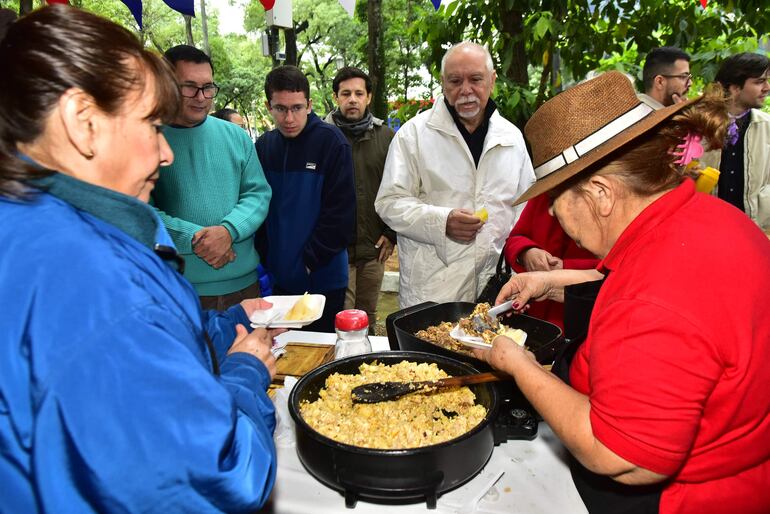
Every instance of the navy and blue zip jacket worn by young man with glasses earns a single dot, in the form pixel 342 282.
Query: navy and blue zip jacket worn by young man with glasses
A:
pixel 313 209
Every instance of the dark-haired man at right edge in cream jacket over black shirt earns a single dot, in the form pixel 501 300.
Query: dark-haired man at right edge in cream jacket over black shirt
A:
pixel 744 162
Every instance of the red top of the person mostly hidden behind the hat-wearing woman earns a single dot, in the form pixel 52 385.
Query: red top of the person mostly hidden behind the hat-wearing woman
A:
pixel 536 228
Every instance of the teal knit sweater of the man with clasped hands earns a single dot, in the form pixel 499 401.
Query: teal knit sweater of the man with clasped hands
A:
pixel 216 179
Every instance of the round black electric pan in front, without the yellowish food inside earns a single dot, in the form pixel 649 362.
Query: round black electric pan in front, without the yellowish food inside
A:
pixel 392 476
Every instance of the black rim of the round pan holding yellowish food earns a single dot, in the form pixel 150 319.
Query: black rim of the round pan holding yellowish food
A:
pixel 403 354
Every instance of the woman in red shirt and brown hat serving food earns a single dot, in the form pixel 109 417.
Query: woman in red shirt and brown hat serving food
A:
pixel 667 408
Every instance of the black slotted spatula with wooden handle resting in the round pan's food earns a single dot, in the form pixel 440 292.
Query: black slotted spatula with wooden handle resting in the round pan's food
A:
pixel 376 392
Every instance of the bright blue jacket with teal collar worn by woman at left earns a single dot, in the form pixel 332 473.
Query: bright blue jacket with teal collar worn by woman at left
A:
pixel 107 397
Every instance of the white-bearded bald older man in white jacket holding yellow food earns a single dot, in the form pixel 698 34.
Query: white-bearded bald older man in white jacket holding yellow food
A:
pixel 450 179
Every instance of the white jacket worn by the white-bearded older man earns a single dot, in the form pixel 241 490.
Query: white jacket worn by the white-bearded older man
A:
pixel 430 171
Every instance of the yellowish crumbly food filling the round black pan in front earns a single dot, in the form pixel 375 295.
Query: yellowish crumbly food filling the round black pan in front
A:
pixel 412 421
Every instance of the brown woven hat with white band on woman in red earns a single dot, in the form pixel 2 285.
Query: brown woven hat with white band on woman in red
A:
pixel 576 128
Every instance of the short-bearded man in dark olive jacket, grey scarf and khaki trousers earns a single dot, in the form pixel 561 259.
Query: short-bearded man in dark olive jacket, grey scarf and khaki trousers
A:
pixel 369 137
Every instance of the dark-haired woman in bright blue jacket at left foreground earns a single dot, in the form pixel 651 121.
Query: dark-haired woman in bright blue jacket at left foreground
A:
pixel 116 392
